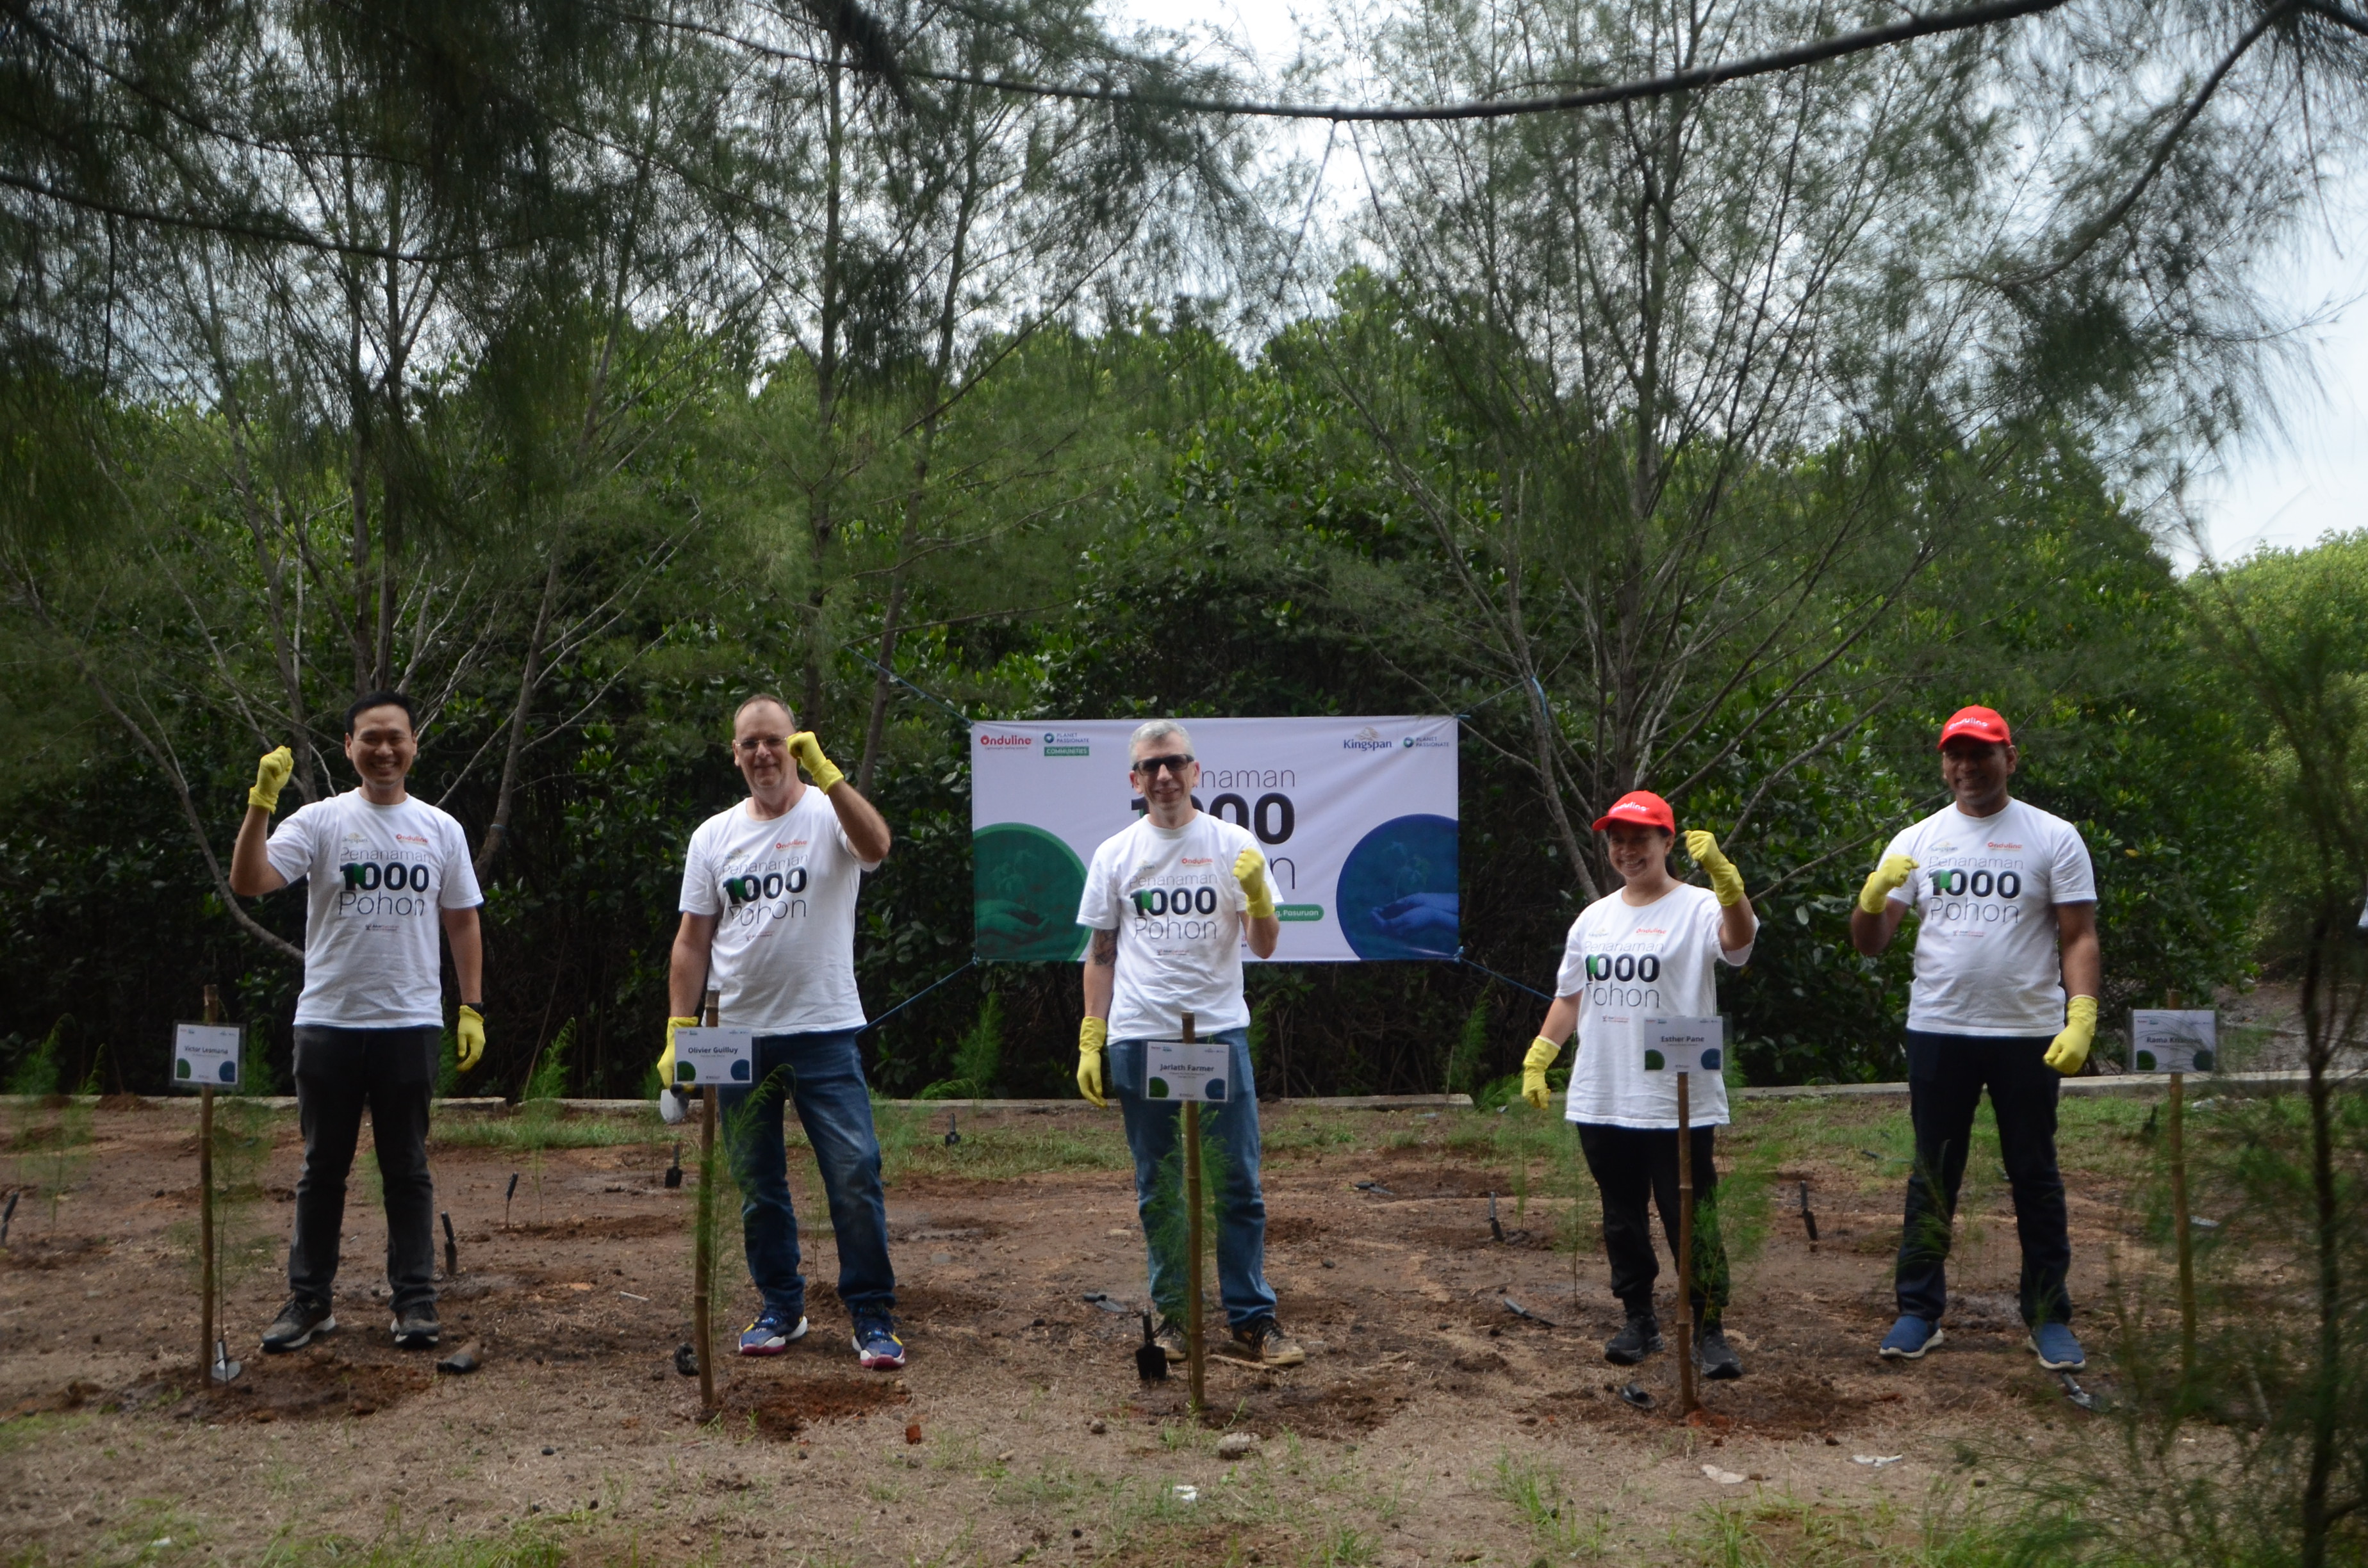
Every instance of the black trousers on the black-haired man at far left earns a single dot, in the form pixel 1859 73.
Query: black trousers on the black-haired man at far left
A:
pixel 340 1074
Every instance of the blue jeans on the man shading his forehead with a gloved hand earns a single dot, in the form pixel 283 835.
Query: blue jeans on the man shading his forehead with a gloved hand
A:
pixel 825 1077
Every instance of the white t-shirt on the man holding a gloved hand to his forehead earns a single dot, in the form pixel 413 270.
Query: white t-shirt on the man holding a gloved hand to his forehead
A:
pixel 783 894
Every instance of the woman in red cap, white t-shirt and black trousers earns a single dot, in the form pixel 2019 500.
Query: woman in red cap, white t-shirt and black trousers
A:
pixel 1647 951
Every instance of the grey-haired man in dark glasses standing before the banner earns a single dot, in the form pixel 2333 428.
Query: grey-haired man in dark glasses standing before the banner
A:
pixel 1171 901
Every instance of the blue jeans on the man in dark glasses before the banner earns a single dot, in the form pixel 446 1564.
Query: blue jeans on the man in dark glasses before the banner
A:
pixel 1228 1162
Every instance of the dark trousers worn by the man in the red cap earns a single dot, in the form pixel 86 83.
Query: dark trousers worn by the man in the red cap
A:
pixel 1948 1077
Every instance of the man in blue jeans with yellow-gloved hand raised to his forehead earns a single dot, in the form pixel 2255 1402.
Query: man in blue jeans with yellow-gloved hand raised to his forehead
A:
pixel 768 918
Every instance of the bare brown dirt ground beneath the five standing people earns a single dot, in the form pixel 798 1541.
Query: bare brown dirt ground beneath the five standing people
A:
pixel 1429 1427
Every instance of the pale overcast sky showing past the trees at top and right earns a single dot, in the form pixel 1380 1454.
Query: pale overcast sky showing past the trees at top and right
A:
pixel 2301 477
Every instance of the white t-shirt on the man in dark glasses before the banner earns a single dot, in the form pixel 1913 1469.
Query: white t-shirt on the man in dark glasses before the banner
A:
pixel 1176 906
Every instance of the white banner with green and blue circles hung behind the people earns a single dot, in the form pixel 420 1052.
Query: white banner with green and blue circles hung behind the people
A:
pixel 1356 816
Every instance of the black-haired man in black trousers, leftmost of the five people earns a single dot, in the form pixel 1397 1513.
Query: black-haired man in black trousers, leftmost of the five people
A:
pixel 382 875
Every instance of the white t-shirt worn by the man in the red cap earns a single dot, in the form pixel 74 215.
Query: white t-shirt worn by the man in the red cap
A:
pixel 1986 894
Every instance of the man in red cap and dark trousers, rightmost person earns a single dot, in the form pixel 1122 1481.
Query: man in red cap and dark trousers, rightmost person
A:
pixel 2005 998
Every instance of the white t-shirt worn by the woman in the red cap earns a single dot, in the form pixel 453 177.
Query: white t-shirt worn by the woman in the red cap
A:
pixel 1628 963
